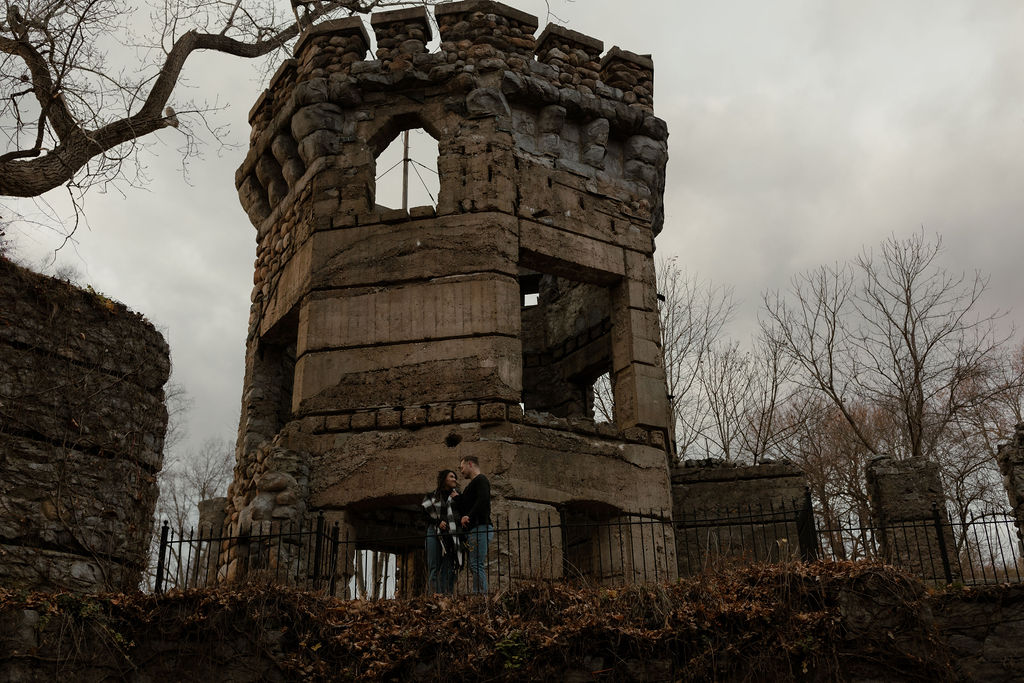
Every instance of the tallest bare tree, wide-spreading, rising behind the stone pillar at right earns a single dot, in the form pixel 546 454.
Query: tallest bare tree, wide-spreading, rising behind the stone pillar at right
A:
pixel 898 332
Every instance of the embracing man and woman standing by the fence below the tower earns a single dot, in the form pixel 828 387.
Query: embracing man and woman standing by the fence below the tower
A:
pixel 459 529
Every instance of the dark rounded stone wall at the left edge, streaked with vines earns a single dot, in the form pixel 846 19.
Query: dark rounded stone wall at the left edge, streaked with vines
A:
pixel 82 423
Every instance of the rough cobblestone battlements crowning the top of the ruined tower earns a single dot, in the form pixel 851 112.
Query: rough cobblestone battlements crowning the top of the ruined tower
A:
pixel 547 93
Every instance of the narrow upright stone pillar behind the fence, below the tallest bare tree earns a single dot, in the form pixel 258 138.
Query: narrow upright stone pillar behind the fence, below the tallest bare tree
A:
pixel 906 497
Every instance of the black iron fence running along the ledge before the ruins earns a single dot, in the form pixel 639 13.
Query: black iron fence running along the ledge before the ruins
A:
pixel 617 550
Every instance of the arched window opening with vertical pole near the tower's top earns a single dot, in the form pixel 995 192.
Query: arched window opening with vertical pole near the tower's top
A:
pixel 407 172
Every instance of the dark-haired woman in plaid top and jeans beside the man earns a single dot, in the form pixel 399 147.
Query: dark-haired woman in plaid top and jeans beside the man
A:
pixel 444 544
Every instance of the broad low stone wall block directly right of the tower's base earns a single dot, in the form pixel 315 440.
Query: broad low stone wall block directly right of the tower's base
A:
pixel 723 510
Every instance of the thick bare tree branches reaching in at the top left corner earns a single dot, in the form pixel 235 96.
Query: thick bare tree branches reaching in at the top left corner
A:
pixel 70 117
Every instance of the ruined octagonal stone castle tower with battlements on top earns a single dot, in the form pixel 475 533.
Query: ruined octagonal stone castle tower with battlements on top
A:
pixel 386 345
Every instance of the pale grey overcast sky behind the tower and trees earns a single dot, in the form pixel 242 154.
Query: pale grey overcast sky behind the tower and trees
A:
pixel 801 132
